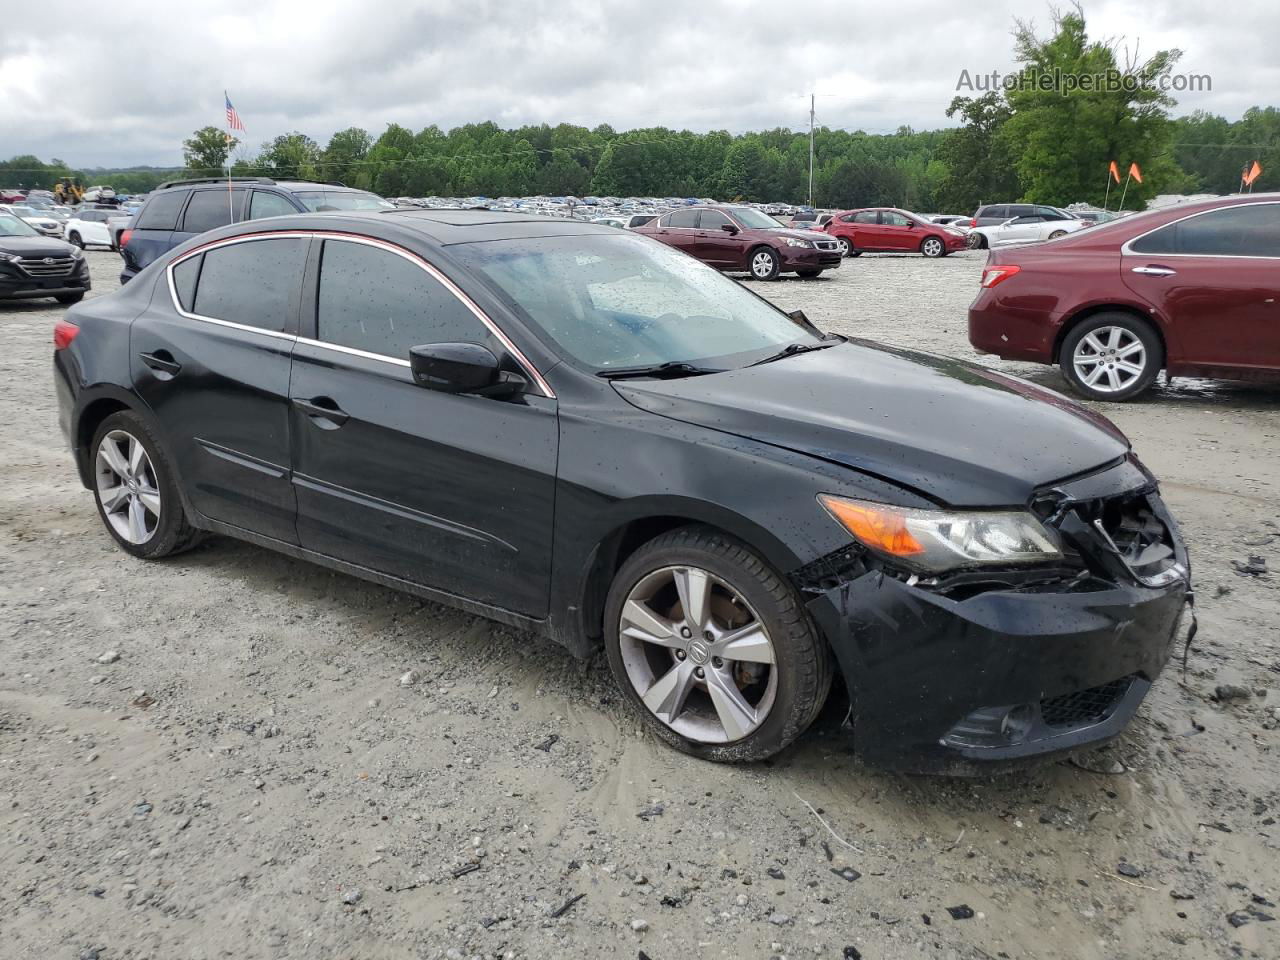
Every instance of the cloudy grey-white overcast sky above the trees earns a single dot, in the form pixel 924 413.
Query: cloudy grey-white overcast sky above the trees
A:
pixel 126 84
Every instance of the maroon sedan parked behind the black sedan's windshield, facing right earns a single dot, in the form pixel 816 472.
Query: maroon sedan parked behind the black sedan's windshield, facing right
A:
pixel 744 239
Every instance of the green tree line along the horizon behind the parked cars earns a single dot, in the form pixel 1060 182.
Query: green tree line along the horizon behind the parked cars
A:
pixel 1020 144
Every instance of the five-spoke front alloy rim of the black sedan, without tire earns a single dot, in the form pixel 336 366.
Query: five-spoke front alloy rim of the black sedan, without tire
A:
pixel 697 655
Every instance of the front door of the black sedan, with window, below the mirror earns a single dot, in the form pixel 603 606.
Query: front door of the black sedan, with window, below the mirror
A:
pixel 447 491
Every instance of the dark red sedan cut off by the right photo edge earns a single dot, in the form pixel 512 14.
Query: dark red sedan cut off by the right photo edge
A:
pixel 1194 290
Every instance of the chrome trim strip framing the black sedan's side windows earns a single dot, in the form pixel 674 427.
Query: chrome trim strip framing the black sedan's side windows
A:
pixel 351 351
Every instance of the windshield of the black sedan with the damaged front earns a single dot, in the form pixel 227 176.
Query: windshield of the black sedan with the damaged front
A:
pixel 619 301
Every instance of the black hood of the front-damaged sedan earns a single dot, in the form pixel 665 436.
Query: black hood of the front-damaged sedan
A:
pixel 958 433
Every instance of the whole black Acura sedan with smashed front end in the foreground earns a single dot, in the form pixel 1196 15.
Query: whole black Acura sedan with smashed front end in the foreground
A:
pixel 591 436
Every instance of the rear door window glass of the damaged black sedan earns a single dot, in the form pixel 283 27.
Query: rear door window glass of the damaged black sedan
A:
pixel 253 284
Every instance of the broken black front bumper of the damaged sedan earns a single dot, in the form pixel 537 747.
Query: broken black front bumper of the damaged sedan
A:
pixel 956 676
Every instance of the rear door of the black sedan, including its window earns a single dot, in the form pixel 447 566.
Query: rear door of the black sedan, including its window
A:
pixel 211 358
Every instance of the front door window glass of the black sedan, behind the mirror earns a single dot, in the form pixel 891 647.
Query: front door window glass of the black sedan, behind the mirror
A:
pixel 385 304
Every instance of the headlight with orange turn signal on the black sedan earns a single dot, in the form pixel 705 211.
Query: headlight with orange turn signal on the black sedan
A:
pixel 939 541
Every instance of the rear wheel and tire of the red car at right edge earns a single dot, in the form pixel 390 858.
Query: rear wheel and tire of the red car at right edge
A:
pixel 1112 356
